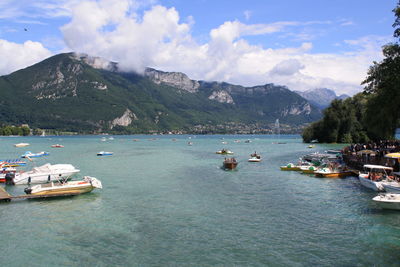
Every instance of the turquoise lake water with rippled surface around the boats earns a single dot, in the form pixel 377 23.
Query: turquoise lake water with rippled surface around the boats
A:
pixel 165 203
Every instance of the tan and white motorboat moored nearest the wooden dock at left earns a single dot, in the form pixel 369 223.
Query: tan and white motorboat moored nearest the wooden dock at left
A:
pixel 65 187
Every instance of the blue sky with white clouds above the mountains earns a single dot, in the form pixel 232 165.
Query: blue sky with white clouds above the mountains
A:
pixel 301 44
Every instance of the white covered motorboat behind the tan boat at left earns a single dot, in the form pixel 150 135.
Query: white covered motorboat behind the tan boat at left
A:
pixel 45 173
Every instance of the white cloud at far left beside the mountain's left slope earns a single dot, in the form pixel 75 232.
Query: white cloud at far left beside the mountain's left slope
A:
pixel 17 56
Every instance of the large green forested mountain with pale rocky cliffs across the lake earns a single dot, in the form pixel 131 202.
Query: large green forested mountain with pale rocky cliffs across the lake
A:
pixel 68 92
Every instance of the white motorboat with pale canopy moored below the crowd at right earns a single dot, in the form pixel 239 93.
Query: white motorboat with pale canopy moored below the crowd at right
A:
pixel 374 176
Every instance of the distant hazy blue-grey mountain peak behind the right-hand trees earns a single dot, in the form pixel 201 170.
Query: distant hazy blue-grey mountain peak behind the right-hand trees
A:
pixel 321 97
